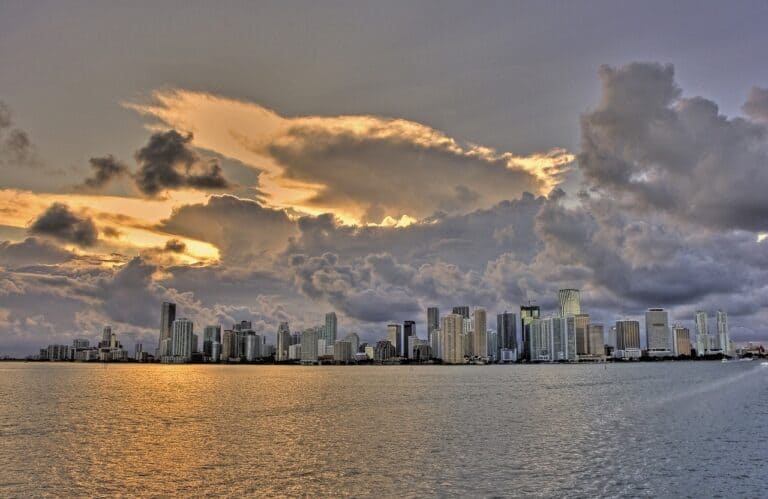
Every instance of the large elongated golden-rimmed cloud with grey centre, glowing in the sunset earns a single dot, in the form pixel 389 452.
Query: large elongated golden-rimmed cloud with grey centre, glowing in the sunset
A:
pixel 362 168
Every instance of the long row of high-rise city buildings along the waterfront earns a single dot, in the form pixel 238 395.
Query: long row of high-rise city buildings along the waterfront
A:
pixel 460 337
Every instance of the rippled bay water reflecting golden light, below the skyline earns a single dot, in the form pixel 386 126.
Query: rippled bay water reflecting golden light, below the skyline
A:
pixel 686 429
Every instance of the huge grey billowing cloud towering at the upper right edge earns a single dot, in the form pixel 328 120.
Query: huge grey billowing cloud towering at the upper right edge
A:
pixel 655 150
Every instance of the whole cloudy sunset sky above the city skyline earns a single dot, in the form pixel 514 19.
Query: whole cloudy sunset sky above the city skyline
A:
pixel 274 161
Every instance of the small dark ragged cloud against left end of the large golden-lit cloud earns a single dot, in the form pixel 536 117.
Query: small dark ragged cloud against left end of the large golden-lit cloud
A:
pixel 168 161
